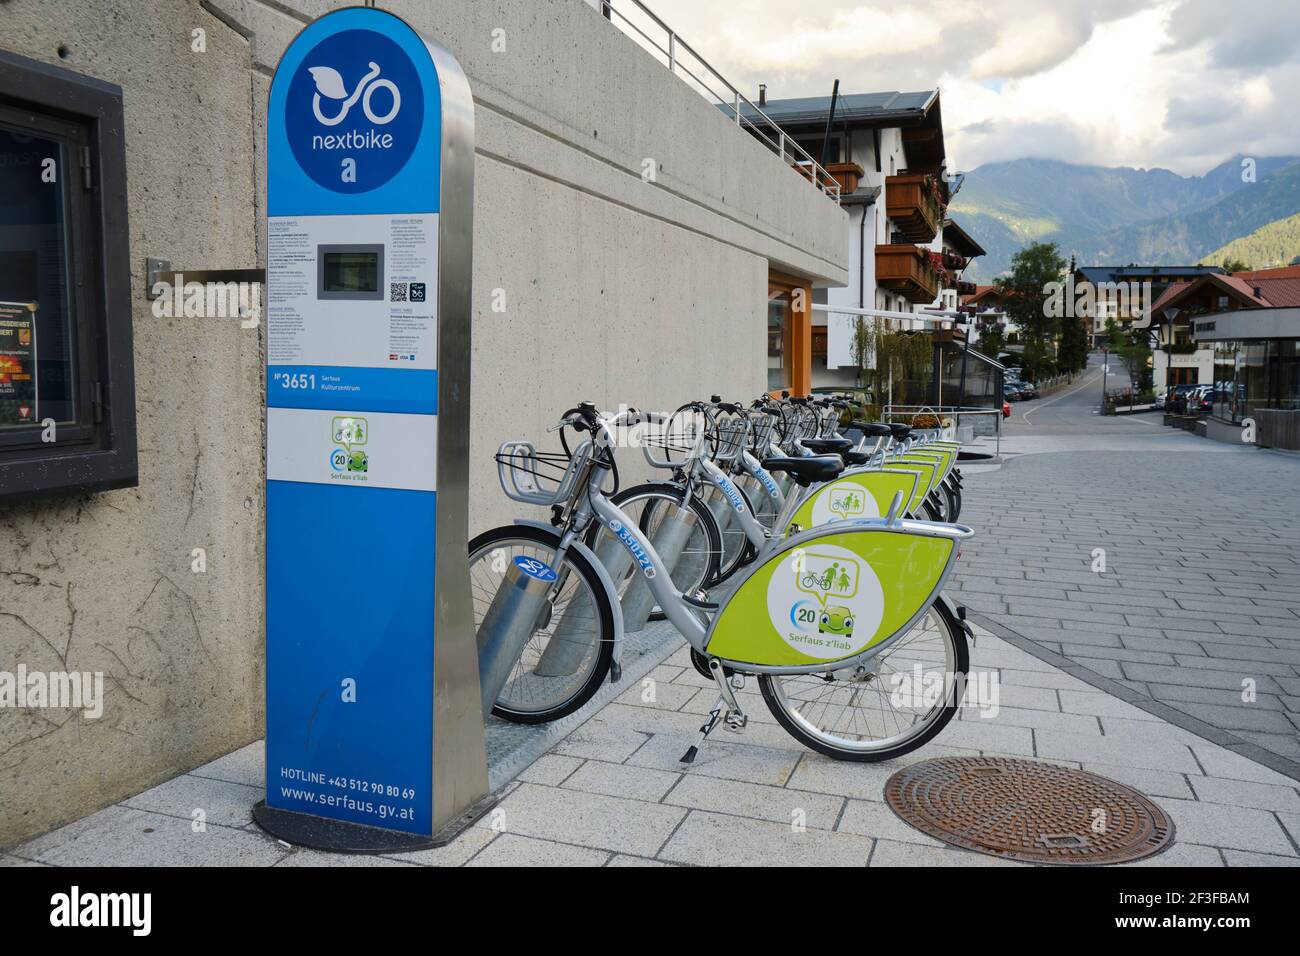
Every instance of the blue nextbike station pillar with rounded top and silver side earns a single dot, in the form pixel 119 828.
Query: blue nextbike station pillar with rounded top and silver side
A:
pixel 375 736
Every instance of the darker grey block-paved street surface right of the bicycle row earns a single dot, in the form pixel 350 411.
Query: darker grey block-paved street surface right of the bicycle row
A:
pixel 1198 607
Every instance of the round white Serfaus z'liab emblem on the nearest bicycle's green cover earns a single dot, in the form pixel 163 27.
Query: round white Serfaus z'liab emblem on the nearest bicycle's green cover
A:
pixel 825 602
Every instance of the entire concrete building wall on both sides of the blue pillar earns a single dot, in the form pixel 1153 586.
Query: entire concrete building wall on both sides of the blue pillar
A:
pixel 616 289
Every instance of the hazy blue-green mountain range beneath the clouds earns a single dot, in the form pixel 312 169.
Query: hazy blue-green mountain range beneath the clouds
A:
pixel 1119 215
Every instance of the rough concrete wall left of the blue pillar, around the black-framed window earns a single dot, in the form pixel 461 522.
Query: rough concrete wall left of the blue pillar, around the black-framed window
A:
pixel 103 583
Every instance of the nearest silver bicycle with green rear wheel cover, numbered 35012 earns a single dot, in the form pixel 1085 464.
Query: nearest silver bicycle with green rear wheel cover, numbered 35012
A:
pixel 821 668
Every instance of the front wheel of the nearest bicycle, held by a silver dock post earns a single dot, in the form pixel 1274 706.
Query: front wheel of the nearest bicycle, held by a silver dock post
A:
pixel 570 651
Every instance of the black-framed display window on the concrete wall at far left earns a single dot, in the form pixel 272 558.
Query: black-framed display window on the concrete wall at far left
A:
pixel 67 373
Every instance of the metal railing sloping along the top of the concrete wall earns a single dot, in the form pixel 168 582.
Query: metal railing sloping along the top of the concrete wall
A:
pixel 673 49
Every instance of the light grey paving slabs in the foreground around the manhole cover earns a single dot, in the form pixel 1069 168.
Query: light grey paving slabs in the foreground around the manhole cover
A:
pixel 613 794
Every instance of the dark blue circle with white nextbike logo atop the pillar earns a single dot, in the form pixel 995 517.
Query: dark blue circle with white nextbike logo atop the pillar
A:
pixel 354 111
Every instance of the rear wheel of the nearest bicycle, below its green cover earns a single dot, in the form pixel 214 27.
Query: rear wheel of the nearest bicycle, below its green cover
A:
pixel 898 703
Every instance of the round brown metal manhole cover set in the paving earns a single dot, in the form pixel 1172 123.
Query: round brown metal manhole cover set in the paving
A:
pixel 1025 811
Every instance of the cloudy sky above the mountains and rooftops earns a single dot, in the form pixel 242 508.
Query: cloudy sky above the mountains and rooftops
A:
pixel 1177 84
